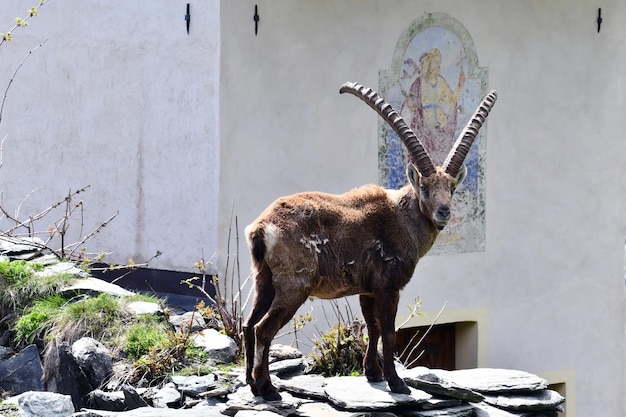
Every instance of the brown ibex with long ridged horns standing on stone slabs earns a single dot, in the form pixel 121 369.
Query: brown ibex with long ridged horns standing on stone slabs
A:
pixel 366 241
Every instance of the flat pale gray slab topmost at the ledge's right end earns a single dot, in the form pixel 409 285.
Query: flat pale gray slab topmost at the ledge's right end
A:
pixel 486 380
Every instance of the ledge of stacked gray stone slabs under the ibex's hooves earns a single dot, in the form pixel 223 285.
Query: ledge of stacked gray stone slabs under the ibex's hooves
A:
pixel 434 393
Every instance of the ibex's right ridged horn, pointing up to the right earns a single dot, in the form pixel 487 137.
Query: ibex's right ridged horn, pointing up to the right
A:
pixel 454 161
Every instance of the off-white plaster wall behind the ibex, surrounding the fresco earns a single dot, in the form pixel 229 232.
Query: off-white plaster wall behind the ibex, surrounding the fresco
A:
pixel 551 279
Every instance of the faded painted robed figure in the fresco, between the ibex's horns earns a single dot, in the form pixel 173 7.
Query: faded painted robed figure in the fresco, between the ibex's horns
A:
pixel 430 106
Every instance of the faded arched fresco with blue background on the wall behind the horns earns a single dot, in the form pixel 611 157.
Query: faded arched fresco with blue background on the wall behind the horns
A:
pixel 435 83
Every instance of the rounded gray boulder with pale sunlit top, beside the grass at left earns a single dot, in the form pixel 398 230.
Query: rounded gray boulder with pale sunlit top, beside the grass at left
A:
pixel 94 359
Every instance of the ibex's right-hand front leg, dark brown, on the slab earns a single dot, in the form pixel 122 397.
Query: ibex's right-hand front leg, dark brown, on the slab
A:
pixel 386 306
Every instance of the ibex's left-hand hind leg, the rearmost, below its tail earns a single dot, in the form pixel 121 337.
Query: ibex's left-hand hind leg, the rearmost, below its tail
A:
pixel 263 297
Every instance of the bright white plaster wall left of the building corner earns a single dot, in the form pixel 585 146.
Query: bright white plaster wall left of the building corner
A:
pixel 120 98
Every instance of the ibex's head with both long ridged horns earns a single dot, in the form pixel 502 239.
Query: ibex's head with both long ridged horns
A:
pixel 433 185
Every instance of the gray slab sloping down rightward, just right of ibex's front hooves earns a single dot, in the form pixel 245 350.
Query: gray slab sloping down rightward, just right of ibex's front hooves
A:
pixel 437 382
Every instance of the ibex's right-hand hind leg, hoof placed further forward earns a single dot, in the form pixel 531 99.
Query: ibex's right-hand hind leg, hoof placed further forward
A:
pixel 283 308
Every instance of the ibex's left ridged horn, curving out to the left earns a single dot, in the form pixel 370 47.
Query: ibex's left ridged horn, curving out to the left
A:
pixel 417 152
